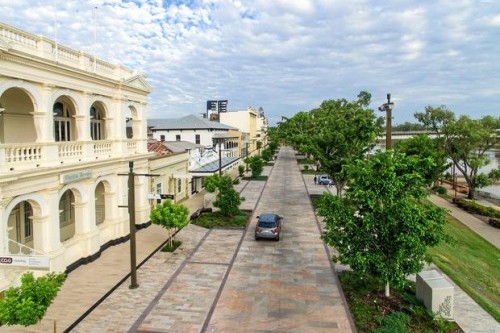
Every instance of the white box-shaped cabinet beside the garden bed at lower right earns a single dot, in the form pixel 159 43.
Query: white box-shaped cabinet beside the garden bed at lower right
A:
pixel 436 293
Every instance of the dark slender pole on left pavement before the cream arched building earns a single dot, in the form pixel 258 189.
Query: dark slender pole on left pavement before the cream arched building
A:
pixel 131 211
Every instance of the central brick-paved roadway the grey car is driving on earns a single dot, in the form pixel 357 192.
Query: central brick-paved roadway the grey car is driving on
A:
pixel 285 286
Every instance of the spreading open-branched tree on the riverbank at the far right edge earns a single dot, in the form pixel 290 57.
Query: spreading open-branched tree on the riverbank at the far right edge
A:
pixel 465 141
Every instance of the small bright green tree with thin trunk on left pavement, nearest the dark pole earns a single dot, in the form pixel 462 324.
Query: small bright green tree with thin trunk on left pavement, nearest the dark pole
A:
pixel 170 216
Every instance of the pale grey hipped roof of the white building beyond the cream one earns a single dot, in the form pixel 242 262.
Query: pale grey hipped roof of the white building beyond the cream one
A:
pixel 187 122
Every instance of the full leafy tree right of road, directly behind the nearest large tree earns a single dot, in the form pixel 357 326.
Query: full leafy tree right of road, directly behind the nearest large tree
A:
pixel 343 132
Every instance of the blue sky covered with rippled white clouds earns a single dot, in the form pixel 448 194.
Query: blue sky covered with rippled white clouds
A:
pixel 287 56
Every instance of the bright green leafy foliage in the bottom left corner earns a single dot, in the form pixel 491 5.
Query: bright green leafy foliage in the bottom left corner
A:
pixel 27 304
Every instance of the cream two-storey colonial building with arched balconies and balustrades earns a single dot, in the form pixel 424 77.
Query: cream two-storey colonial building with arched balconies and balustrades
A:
pixel 64 146
